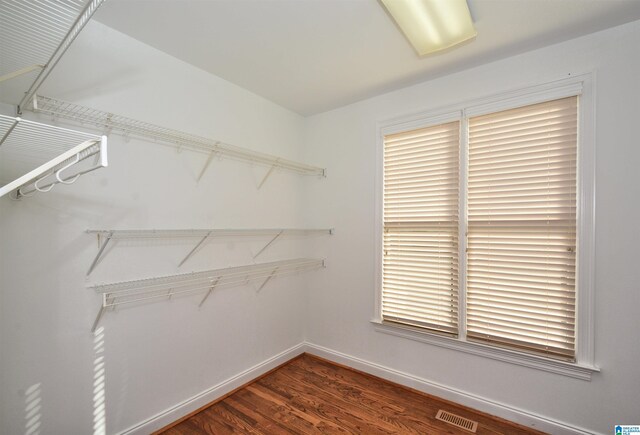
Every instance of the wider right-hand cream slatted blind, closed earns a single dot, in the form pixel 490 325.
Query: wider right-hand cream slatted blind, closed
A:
pixel 522 228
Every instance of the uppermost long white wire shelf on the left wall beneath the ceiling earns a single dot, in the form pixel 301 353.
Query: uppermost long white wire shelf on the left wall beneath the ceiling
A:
pixel 135 128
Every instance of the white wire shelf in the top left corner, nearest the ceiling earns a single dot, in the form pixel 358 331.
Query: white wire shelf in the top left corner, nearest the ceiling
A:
pixel 35 34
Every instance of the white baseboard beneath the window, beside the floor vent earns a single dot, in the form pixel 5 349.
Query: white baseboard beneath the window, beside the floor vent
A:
pixel 507 412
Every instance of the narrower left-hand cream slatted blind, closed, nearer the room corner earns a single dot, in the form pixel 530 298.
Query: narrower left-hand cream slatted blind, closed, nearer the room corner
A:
pixel 420 241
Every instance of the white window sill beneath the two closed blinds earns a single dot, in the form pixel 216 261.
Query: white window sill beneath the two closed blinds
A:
pixel 574 370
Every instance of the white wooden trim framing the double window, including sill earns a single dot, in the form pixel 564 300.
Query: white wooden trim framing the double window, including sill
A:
pixel 582 85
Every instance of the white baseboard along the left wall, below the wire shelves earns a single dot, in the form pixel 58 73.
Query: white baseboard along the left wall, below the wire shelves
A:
pixel 189 405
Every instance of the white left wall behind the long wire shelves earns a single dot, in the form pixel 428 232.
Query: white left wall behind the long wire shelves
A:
pixel 158 354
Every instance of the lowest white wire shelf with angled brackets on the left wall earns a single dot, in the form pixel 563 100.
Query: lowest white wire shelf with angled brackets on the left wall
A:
pixel 165 287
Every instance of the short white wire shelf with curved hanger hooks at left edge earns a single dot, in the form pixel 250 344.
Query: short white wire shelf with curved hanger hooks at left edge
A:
pixel 36 157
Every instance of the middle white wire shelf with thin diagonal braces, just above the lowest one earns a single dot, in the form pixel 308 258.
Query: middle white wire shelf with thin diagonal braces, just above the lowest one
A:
pixel 105 236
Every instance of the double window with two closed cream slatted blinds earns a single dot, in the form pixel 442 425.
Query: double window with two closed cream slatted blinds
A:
pixel 480 225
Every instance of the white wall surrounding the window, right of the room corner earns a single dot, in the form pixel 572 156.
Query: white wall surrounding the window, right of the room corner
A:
pixel 342 299
